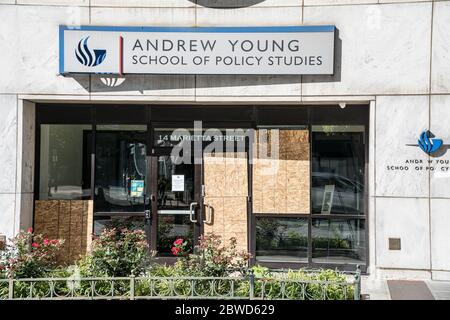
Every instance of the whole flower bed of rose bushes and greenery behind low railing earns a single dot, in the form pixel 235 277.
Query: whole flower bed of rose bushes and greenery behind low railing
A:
pixel 119 266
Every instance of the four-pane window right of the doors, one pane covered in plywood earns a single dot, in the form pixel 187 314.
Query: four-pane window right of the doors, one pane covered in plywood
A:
pixel 333 183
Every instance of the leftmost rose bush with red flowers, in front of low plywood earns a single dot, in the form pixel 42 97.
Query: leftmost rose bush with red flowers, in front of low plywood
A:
pixel 29 255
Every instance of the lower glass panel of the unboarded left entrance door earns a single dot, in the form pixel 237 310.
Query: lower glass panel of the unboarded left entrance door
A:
pixel 172 227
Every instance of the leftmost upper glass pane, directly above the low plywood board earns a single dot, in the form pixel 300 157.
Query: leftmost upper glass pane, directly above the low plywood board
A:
pixel 65 166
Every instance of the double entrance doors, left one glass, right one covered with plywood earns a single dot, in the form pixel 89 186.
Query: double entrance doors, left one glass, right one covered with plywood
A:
pixel 200 185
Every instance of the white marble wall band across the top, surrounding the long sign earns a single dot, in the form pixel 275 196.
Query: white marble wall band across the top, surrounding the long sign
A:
pixel 371 51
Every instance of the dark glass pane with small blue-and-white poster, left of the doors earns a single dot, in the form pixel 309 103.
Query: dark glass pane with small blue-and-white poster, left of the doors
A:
pixel 120 195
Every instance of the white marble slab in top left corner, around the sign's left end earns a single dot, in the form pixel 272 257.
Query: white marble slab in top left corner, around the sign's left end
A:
pixel 29 49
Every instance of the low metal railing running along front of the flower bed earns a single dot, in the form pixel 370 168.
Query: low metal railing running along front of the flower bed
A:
pixel 248 287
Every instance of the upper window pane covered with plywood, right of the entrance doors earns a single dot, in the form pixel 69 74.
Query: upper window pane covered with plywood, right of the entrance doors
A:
pixel 281 171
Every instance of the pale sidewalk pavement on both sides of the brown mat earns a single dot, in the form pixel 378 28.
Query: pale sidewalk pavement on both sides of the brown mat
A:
pixel 379 289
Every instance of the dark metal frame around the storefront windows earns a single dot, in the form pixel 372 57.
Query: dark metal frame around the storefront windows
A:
pixel 253 116
